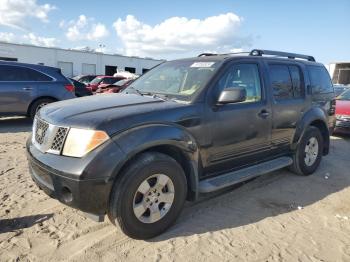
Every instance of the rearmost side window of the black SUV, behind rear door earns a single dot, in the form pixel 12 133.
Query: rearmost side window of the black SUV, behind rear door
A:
pixel 320 80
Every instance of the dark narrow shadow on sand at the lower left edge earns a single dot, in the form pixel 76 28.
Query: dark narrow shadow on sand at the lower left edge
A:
pixel 9 225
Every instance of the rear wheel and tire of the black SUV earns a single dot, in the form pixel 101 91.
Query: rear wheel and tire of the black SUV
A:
pixel 303 164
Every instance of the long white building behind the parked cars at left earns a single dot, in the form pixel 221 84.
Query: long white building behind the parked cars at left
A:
pixel 75 62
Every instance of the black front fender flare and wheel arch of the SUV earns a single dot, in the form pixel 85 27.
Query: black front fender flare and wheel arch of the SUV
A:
pixel 166 139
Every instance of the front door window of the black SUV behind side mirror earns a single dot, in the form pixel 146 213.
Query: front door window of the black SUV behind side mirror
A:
pixel 244 76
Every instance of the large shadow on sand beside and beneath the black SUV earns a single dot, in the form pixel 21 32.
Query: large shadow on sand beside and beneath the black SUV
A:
pixel 270 195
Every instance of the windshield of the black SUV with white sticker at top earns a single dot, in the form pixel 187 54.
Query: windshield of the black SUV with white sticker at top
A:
pixel 176 78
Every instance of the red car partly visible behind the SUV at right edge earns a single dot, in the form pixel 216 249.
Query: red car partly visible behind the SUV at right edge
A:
pixel 342 113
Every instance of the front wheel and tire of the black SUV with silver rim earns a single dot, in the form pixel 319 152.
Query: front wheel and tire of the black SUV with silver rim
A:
pixel 131 190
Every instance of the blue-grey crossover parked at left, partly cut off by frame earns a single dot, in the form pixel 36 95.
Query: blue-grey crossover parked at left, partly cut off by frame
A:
pixel 25 88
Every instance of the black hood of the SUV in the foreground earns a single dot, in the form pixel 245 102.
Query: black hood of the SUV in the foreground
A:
pixel 110 112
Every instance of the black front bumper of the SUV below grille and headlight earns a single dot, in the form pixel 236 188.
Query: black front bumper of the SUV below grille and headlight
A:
pixel 81 183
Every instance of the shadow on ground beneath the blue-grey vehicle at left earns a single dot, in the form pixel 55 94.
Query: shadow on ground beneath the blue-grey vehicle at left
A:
pixel 15 124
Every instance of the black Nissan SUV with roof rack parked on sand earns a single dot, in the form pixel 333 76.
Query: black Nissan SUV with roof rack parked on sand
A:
pixel 186 127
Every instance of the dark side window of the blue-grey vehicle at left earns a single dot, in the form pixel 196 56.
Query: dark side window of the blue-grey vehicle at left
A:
pixel 19 73
